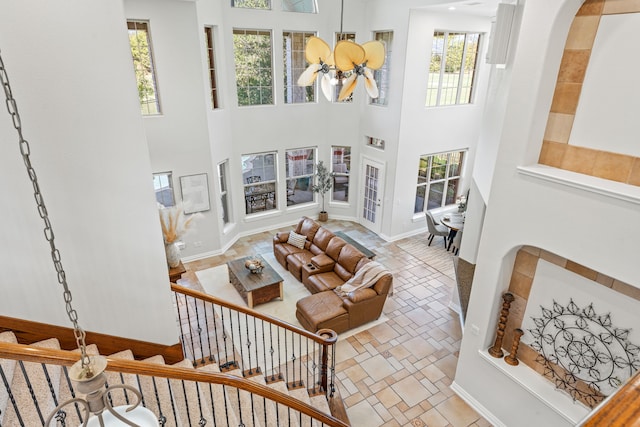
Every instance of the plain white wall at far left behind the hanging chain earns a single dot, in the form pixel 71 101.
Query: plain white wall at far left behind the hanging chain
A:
pixel 71 73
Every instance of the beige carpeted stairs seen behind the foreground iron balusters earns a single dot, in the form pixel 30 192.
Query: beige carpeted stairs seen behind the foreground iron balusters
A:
pixel 175 402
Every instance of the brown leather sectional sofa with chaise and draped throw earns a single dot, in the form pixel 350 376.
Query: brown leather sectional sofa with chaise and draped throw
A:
pixel 324 263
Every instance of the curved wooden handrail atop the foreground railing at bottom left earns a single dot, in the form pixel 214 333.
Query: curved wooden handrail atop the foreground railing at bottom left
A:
pixel 67 358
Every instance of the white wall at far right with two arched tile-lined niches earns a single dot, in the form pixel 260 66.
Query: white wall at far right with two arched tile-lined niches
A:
pixel 528 211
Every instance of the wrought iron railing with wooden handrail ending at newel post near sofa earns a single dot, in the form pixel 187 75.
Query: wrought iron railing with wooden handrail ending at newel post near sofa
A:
pixel 235 337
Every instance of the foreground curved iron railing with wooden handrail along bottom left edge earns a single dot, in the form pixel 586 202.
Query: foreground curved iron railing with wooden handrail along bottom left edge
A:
pixel 178 396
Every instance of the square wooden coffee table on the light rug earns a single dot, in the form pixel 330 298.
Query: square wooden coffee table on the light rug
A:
pixel 255 288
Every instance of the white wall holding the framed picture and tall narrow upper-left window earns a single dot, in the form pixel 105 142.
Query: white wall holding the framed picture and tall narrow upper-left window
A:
pixel 178 138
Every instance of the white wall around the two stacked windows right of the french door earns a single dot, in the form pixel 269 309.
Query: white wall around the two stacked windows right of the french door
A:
pixel 431 130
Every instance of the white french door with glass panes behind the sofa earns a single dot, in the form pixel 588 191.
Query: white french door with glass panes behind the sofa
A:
pixel 372 194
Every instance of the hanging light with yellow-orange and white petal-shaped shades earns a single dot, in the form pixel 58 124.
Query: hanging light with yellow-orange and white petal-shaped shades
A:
pixel 347 62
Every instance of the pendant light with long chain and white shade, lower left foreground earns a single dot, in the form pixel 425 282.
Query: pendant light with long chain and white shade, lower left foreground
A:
pixel 88 372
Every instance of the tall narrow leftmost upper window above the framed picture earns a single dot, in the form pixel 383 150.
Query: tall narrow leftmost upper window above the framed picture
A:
pixel 144 67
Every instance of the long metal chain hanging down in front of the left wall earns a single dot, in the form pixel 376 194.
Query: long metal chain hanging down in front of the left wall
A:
pixel 25 151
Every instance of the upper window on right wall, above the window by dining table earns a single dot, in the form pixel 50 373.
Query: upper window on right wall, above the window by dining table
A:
pixel 452 69
